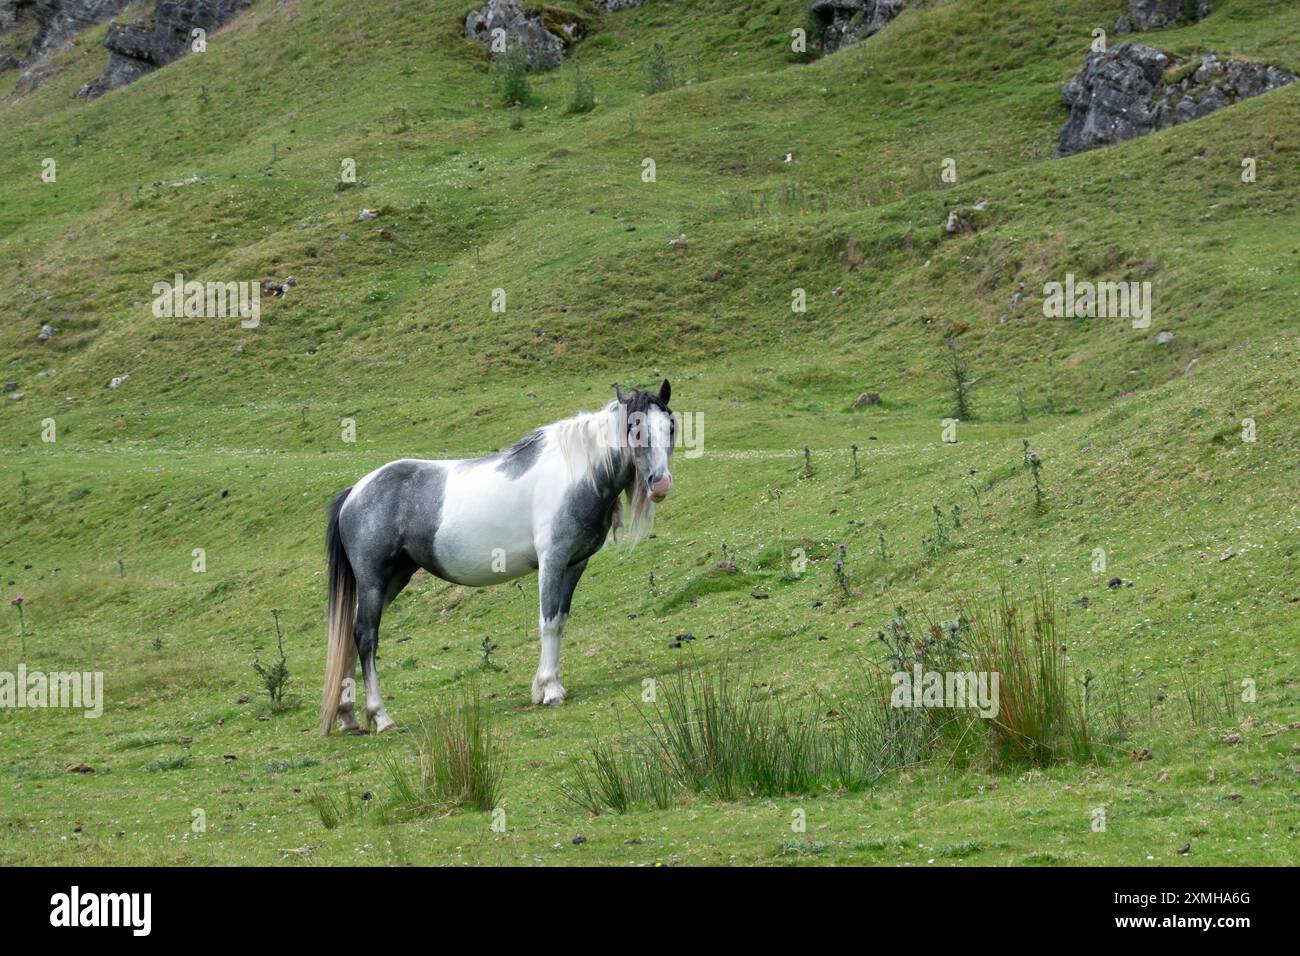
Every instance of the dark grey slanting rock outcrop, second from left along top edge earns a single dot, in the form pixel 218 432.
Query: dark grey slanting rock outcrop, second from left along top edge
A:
pixel 142 47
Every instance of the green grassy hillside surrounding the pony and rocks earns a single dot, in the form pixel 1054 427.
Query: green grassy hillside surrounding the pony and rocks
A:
pixel 229 439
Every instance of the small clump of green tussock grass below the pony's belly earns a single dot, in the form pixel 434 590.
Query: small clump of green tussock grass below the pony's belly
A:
pixel 462 763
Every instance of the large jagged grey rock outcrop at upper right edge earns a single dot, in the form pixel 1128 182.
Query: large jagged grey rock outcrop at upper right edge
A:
pixel 1121 94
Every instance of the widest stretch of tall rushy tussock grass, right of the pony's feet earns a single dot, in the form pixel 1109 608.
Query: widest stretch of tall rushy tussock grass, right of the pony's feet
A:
pixel 712 734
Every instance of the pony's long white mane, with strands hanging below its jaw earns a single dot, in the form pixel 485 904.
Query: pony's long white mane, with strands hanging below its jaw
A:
pixel 596 440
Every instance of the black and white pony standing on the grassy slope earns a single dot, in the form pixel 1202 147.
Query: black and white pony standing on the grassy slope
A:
pixel 547 504
